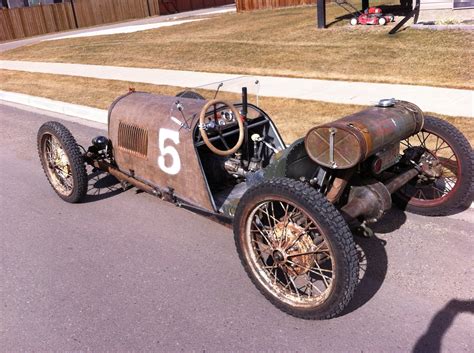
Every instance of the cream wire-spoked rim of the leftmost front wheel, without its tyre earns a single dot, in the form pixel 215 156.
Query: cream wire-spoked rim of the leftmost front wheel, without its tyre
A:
pixel 57 164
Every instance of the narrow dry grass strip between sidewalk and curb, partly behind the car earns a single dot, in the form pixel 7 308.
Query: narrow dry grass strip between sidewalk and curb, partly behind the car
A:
pixel 293 117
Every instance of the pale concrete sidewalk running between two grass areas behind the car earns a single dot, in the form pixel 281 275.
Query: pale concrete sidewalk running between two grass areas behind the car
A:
pixel 454 102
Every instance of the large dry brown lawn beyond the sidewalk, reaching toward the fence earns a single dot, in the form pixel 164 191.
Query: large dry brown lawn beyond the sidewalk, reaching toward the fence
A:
pixel 279 42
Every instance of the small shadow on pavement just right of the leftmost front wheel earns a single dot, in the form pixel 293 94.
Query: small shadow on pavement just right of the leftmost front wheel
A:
pixel 101 186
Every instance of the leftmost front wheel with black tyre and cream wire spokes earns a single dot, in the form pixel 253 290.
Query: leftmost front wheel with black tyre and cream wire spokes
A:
pixel 62 161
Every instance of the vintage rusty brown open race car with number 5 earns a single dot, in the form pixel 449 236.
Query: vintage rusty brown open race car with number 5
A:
pixel 293 208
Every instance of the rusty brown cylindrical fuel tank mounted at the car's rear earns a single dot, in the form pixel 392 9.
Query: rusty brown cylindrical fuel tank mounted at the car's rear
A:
pixel 348 141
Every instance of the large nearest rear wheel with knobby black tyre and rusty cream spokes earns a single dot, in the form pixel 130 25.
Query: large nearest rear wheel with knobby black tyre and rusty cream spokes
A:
pixel 296 248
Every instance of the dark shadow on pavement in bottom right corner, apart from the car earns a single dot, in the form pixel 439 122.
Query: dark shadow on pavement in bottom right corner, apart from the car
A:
pixel 439 325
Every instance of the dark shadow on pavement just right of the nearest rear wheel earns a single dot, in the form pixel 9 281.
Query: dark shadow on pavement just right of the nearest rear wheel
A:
pixel 373 261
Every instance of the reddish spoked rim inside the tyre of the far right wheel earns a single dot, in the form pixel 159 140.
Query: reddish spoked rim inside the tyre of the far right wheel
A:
pixel 433 192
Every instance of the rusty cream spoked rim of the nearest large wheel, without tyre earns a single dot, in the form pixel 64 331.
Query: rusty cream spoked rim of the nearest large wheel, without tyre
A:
pixel 289 253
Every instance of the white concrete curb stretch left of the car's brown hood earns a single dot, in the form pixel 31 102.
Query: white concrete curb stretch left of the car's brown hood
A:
pixel 74 110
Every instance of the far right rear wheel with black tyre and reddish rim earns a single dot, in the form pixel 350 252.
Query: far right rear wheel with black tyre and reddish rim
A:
pixel 449 154
